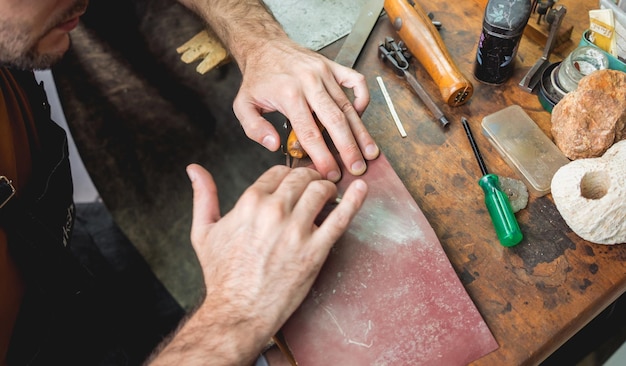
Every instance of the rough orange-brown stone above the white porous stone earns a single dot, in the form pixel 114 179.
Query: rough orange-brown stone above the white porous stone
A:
pixel 590 119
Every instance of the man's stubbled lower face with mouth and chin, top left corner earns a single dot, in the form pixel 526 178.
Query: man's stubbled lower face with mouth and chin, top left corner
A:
pixel 34 33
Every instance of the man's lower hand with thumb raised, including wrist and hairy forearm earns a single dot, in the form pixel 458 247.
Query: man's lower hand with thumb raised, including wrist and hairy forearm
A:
pixel 259 261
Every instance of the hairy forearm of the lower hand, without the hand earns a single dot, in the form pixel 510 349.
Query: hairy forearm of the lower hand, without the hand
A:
pixel 211 336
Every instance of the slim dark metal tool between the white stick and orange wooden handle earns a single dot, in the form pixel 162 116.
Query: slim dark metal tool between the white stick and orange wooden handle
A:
pixel 395 55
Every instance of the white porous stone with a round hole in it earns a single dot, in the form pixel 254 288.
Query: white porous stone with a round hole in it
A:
pixel 590 194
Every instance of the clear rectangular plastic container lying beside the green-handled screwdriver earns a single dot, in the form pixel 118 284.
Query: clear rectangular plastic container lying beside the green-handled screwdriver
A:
pixel 524 147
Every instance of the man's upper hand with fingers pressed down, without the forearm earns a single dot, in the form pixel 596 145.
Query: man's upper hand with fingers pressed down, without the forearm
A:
pixel 284 77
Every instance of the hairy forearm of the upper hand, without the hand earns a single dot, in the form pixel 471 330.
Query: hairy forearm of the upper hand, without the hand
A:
pixel 243 25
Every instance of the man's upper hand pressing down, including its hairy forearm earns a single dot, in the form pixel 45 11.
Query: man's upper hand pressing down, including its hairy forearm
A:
pixel 279 75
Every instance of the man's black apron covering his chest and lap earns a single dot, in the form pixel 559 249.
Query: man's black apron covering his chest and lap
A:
pixel 77 309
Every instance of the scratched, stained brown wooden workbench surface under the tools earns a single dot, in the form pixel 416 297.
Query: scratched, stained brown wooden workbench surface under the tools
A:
pixel 533 296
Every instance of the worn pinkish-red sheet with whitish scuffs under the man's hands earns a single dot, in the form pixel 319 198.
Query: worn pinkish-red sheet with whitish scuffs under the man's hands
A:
pixel 387 294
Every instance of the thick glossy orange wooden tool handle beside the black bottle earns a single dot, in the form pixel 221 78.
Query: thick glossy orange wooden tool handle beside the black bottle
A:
pixel 421 38
